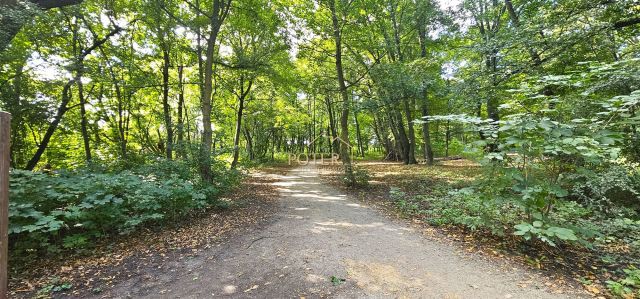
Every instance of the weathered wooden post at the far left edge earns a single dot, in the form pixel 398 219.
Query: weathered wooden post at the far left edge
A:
pixel 5 137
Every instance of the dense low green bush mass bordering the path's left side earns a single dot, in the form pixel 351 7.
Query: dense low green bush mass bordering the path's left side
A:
pixel 69 209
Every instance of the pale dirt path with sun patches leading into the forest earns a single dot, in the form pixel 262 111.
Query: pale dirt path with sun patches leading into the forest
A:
pixel 320 233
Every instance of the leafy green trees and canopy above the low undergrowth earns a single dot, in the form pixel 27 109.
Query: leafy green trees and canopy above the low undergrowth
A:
pixel 544 93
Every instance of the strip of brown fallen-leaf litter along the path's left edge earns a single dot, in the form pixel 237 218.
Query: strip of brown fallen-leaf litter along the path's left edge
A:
pixel 145 251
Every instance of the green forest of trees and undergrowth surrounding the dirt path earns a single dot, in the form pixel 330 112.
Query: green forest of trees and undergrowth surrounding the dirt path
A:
pixel 135 114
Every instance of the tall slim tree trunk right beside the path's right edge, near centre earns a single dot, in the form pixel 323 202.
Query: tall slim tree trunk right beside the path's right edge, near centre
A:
pixel 345 145
